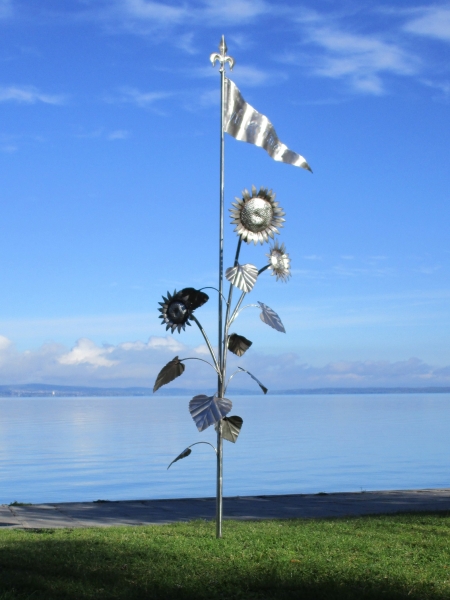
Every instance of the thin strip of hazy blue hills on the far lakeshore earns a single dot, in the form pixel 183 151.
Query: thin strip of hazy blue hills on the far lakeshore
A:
pixel 35 390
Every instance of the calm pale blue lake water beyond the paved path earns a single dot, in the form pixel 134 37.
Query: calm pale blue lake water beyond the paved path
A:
pixel 84 449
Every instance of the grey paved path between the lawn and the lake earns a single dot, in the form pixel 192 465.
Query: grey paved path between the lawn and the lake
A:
pixel 158 512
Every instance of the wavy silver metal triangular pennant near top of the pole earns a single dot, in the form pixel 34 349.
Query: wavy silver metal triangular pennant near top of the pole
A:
pixel 246 124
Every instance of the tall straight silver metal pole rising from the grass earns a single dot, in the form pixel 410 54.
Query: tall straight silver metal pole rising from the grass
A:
pixel 220 384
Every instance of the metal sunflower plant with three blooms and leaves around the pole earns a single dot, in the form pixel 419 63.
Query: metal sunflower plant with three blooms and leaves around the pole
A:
pixel 257 218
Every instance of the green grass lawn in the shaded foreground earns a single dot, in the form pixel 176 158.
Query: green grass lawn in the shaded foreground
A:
pixel 401 556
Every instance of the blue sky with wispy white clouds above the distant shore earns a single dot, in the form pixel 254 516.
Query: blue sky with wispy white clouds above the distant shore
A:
pixel 109 168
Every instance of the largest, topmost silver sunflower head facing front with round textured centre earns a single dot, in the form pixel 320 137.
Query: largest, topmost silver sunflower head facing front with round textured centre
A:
pixel 257 216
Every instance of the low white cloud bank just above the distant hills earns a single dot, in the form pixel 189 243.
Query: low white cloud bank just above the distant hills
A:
pixel 138 363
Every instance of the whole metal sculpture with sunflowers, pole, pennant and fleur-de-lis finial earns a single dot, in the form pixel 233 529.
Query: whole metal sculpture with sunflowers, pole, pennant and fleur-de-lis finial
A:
pixel 257 218
